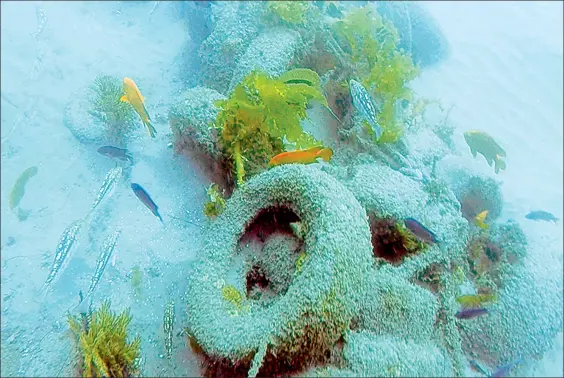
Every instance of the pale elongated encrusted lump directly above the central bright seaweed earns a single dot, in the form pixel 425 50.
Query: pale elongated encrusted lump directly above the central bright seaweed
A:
pixel 271 52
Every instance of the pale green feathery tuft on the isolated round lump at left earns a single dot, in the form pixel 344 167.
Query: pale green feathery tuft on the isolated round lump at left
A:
pixel 117 116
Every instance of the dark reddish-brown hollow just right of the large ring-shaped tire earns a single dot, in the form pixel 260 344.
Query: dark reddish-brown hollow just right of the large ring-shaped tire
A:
pixel 391 240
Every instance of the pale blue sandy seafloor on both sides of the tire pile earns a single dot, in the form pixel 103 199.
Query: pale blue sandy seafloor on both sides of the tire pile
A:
pixel 504 76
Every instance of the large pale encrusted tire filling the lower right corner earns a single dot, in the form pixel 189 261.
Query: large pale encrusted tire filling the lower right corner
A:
pixel 525 318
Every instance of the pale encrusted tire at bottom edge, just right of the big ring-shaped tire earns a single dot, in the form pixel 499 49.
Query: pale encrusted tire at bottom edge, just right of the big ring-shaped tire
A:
pixel 370 355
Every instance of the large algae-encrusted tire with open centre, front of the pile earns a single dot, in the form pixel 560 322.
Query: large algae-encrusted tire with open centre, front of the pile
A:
pixel 303 324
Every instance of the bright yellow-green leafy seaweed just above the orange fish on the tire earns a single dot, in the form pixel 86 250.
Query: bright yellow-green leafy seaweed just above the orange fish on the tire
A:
pixel 262 117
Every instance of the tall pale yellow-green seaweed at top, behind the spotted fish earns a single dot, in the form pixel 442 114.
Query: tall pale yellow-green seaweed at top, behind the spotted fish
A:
pixel 371 45
